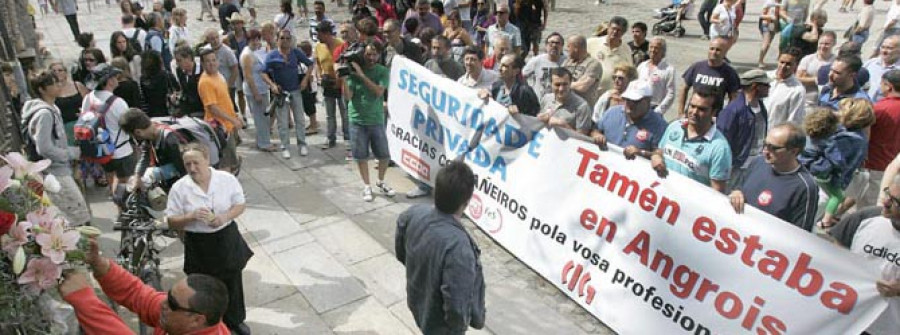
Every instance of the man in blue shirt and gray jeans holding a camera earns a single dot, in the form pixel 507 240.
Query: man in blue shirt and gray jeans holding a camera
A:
pixel 281 73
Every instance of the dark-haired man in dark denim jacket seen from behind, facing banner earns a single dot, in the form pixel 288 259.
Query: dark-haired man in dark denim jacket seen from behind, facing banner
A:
pixel 444 282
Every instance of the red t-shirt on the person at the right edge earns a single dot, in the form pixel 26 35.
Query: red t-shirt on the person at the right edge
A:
pixel 884 142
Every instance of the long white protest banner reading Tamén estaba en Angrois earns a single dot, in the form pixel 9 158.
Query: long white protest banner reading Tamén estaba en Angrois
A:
pixel 643 254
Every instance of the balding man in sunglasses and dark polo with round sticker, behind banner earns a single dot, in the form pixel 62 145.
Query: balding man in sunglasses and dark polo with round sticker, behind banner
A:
pixel 776 183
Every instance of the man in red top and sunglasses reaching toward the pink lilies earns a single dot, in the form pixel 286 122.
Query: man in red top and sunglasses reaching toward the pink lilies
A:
pixel 194 305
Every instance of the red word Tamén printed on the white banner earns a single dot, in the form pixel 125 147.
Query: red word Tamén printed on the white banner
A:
pixel 626 188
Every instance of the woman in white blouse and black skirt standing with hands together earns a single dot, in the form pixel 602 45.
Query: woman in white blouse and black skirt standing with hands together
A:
pixel 204 204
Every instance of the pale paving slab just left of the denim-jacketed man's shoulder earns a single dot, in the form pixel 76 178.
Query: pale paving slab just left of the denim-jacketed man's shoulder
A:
pixel 346 242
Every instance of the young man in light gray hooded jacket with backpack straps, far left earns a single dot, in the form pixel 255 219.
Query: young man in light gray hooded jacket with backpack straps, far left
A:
pixel 43 123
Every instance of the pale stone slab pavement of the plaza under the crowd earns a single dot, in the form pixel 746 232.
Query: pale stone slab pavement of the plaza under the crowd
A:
pixel 324 258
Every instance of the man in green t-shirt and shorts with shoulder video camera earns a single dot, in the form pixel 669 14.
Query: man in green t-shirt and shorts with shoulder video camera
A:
pixel 365 89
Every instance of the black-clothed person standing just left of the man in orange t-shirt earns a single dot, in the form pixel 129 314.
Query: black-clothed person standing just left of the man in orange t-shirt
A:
pixel 187 74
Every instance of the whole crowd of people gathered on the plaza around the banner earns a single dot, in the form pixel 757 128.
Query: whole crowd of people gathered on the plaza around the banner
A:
pixel 814 140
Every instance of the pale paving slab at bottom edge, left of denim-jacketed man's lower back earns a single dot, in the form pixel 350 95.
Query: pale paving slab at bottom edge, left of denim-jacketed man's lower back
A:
pixel 365 316
